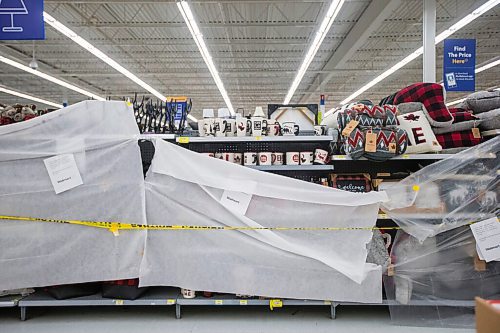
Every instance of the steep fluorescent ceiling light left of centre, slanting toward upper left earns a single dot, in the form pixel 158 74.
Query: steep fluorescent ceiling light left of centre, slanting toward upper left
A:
pixel 188 16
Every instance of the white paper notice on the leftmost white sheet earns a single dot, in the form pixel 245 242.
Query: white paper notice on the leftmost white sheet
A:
pixel 63 172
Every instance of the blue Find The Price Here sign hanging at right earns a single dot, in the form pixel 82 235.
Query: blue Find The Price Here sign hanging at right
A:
pixel 459 64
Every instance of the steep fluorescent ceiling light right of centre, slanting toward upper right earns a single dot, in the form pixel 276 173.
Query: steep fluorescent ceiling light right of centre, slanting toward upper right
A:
pixel 320 35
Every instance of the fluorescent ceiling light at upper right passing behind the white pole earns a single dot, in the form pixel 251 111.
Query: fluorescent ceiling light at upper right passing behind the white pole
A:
pixel 439 38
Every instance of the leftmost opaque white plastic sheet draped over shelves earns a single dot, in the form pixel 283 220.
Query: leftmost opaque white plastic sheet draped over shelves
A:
pixel 101 135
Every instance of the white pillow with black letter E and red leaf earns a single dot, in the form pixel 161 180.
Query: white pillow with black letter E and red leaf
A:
pixel 420 134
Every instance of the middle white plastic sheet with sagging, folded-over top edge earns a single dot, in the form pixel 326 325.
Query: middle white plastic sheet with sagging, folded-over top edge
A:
pixel 185 188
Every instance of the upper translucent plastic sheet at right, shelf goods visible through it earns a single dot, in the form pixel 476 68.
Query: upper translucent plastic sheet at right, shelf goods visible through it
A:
pixel 448 194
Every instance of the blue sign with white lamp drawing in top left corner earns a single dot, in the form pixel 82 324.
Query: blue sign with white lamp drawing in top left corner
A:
pixel 21 20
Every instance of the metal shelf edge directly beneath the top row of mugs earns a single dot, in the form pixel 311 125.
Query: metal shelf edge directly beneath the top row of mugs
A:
pixel 283 138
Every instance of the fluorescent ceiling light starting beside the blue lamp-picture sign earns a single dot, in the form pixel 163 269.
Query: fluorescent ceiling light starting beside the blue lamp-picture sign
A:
pixel 99 54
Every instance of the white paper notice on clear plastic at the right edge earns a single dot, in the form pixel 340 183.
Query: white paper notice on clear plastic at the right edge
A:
pixel 487 235
